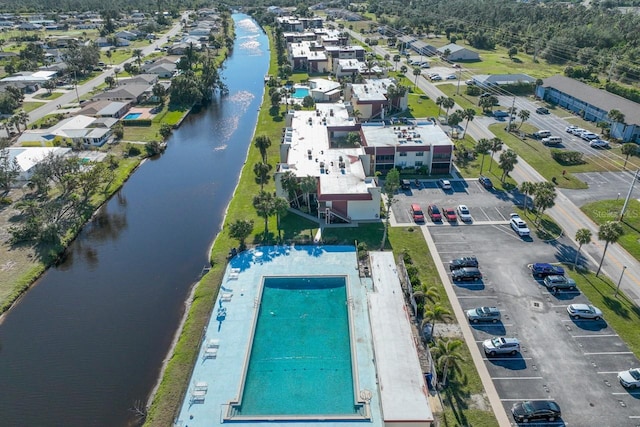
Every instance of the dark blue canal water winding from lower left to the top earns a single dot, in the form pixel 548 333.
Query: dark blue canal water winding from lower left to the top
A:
pixel 88 340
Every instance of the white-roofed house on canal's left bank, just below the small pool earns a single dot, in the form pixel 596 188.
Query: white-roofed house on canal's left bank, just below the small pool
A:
pixel 89 131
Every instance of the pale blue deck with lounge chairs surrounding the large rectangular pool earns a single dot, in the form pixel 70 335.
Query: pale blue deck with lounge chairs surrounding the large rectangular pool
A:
pixel 218 372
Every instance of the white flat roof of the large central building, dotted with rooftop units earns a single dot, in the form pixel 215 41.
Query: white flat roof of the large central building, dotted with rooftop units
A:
pixel 309 132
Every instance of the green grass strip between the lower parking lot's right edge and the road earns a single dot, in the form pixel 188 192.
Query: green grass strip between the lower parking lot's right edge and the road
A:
pixel 619 312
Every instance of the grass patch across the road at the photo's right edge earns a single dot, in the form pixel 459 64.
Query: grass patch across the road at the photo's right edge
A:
pixel 609 210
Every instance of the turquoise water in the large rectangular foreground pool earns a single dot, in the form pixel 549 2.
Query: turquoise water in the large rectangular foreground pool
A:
pixel 300 361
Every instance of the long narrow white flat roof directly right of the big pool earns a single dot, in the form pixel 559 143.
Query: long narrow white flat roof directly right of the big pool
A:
pixel 403 391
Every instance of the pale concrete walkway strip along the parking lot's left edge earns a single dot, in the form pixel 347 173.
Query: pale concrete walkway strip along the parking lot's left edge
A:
pixel 478 361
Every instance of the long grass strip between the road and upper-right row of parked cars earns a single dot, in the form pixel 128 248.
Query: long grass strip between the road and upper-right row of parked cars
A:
pixel 539 157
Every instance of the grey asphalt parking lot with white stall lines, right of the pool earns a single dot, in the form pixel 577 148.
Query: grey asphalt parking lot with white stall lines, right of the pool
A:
pixel 574 362
